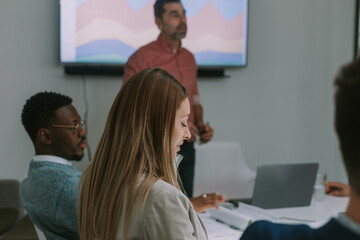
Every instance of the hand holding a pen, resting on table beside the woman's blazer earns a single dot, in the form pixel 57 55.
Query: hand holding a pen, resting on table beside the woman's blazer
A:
pixel 206 201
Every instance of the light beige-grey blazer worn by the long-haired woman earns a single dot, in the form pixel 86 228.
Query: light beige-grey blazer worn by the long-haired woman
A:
pixel 167 215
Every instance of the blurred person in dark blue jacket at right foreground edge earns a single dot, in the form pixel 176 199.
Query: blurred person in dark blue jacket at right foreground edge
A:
pixel 347 125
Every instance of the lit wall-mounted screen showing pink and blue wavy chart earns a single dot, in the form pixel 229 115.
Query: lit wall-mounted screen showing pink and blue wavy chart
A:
pixel 109 31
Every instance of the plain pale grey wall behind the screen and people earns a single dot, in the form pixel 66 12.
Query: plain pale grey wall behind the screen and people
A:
pixel 279 108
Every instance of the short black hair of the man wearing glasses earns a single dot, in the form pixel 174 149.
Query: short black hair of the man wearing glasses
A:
pixel 39 111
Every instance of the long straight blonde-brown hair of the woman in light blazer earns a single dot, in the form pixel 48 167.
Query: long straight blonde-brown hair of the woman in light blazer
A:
pixel 136 143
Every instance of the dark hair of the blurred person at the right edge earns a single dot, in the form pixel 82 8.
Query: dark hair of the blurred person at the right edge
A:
pixel 347 120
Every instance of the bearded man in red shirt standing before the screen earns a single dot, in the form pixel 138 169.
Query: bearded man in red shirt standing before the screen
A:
pixel 166 53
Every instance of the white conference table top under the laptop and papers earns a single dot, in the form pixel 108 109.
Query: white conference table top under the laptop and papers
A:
pixel 315 215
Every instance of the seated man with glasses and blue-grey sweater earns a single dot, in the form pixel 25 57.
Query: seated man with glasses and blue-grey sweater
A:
pixel 50 190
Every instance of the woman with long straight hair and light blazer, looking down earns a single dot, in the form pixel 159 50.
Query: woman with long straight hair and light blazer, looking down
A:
pixel 130 189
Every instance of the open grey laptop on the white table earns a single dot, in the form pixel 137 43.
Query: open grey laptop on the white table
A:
pixel 283 185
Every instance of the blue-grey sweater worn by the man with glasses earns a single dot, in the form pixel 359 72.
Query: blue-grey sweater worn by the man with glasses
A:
pixel 49 196
